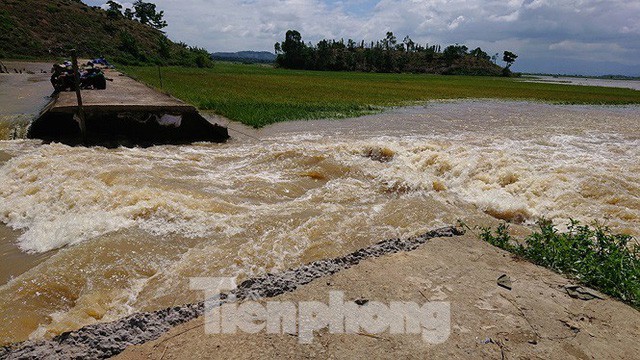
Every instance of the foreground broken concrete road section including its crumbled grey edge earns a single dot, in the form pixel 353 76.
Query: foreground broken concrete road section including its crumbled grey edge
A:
pixel 536 318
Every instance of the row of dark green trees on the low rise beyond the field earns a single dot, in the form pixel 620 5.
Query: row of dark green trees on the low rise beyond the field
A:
pixel 387 55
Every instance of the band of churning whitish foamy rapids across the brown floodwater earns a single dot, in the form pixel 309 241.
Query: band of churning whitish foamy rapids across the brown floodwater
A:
pixel 61 196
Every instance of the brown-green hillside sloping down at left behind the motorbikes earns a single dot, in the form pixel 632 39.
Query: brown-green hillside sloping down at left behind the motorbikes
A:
pixel 48 29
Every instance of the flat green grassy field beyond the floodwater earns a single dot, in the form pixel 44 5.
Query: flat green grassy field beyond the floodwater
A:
pixel 260 95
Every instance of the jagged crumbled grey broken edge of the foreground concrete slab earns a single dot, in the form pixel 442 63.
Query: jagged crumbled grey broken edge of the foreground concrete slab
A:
pixel 104 340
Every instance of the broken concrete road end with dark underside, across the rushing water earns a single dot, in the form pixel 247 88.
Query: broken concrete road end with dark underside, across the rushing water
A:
pixel 127 113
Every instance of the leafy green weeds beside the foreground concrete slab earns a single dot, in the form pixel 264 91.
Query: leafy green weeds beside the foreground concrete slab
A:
pixel 593 255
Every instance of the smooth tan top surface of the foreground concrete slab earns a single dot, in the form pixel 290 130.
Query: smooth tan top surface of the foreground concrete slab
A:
pixel 536 319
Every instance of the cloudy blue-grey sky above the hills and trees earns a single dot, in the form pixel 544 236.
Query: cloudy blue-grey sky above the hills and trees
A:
pixel 553 36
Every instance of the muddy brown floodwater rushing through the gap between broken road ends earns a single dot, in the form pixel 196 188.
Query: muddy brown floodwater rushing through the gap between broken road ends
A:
pixel 101 233
